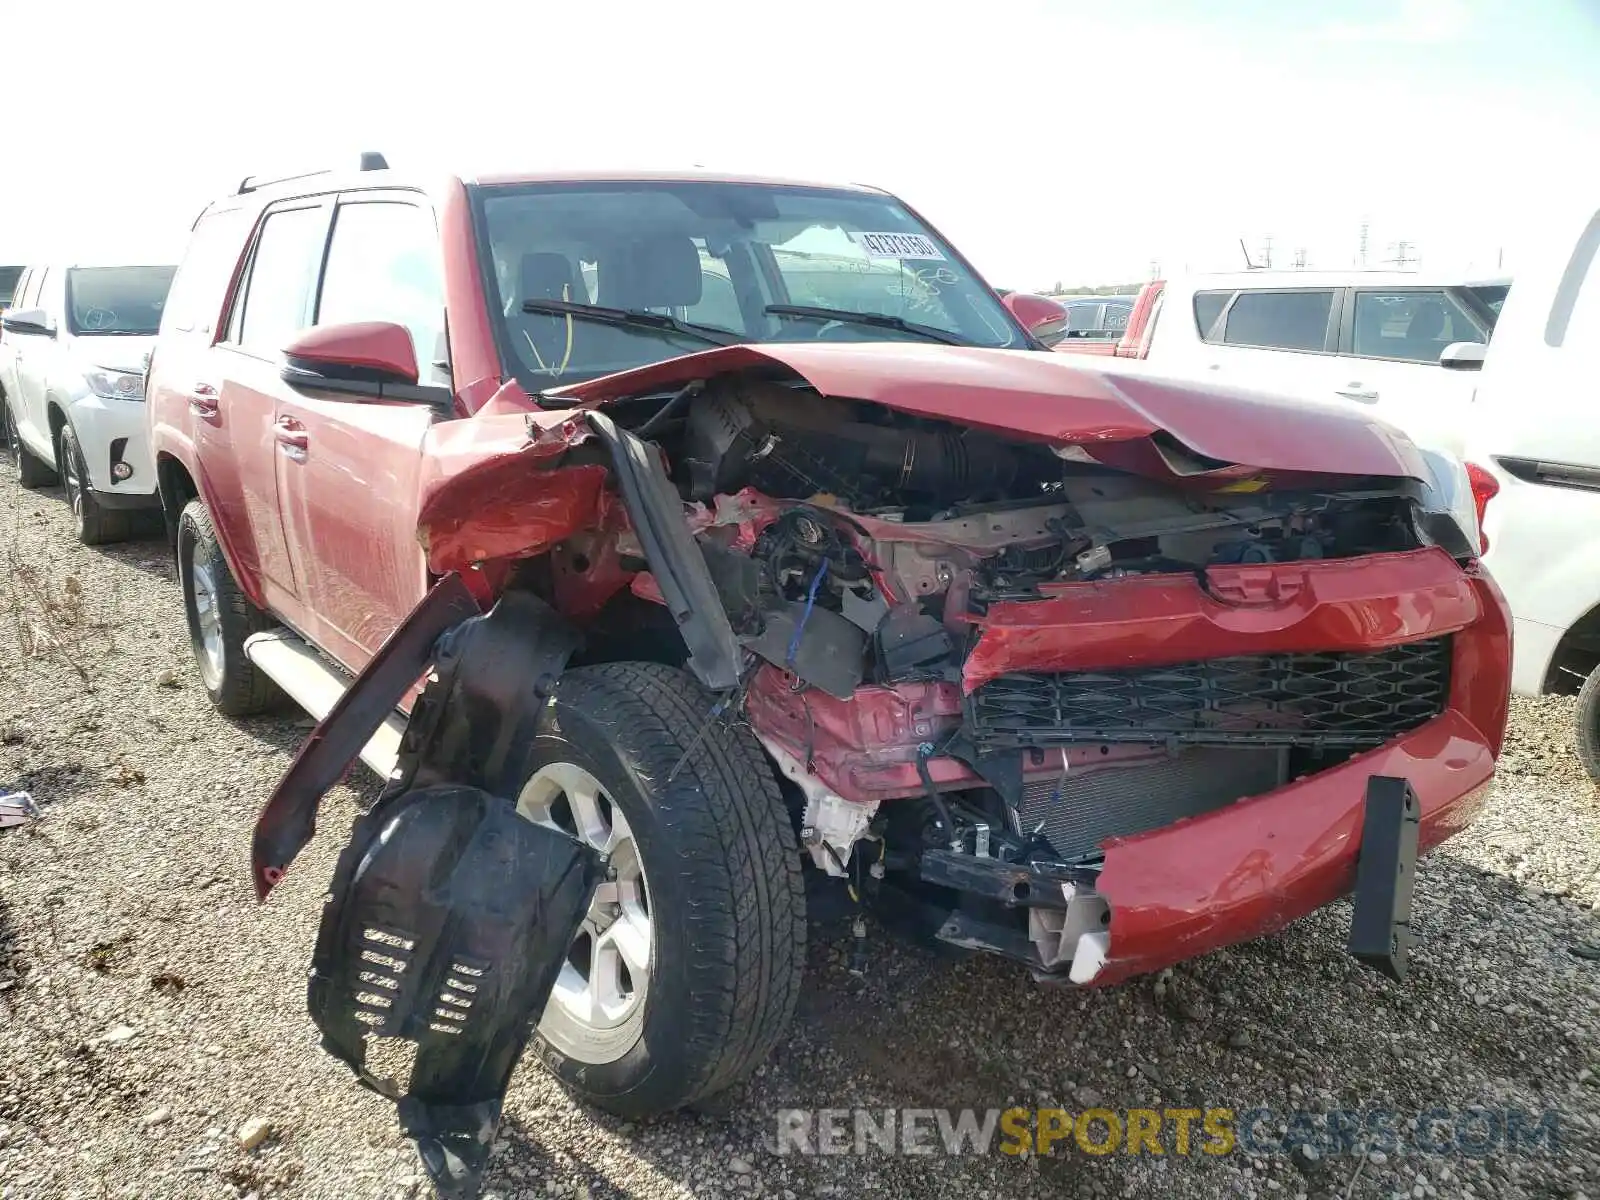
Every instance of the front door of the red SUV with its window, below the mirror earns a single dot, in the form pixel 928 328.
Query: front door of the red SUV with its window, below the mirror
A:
pixel 348 470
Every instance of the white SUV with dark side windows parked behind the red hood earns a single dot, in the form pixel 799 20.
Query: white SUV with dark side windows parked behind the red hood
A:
pixel 1380 342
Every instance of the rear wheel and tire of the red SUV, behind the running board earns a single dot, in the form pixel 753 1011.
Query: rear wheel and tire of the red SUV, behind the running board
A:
pixel 238 687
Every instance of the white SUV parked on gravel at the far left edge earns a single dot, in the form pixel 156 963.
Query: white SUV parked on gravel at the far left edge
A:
pixel 73 358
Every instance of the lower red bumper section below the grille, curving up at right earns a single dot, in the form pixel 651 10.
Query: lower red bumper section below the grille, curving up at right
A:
pixel 1257 866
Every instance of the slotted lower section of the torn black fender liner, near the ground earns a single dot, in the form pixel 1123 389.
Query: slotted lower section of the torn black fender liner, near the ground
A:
pixel 447 924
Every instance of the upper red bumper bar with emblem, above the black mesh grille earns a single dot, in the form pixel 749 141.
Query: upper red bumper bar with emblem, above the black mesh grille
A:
pixel 1338 604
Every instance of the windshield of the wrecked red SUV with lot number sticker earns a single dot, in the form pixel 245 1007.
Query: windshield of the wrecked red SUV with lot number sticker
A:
pixel 718 257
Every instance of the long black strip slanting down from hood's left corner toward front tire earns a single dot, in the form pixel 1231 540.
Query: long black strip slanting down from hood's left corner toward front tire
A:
pixel 676 561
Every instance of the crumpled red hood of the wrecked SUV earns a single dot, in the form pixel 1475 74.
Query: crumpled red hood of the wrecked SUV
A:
pixel 1055 399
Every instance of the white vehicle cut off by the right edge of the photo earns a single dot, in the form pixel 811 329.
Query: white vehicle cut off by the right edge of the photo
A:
pixel 1537 426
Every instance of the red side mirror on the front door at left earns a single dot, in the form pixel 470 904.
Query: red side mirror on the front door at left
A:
pixel 370 361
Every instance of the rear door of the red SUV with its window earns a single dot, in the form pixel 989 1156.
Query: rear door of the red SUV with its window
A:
pixel 234 396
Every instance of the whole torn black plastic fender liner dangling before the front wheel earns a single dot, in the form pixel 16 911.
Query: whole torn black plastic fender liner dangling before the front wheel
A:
pixel 450 914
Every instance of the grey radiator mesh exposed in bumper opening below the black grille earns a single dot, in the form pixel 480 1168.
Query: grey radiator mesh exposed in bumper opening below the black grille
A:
pixel 1114 801
